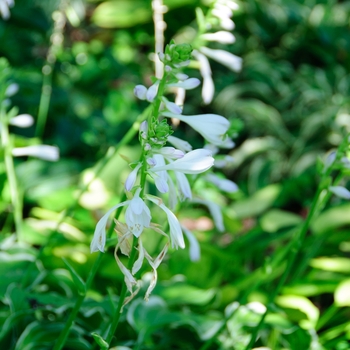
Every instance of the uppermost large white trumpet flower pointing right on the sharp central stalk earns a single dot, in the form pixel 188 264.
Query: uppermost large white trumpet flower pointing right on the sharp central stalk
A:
pixel 212 127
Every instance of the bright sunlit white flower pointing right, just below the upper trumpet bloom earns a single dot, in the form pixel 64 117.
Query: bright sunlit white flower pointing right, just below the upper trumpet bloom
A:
pixel 193 162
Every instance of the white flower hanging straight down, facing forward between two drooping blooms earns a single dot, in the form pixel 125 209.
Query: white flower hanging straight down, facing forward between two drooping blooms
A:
pixel 137 215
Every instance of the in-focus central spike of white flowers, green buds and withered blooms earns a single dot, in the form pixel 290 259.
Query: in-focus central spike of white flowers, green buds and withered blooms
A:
pixel 166 161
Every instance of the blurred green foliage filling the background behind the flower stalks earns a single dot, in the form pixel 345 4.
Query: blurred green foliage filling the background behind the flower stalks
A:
pixel 290 104
